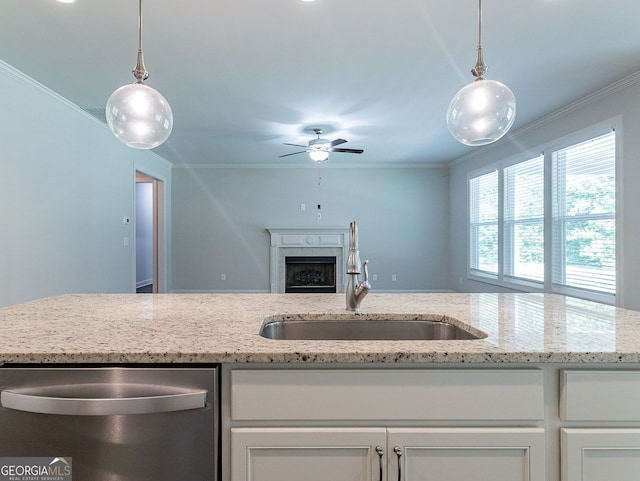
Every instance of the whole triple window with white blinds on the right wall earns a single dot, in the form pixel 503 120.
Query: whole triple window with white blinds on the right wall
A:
pixel 549 222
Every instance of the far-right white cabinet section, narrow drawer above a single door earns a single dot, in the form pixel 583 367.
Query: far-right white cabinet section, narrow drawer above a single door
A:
pixel 603 452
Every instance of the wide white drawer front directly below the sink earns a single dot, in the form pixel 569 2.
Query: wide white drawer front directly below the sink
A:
pixel 375 394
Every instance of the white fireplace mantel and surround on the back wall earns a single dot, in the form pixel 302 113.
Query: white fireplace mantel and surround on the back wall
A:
pixel 307 242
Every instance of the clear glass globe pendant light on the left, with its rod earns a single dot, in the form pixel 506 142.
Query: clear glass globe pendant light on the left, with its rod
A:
pixel 138 115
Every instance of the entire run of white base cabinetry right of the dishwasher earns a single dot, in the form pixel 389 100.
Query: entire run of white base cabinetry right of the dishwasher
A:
pixel 545 422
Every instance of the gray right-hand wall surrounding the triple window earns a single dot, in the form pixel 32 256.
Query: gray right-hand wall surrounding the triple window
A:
pixel 621 99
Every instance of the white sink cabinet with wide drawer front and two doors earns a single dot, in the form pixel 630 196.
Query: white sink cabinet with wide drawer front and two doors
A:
pixel 351 425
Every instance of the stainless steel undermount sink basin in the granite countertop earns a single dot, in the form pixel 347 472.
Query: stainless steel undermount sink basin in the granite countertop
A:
pixel 366 330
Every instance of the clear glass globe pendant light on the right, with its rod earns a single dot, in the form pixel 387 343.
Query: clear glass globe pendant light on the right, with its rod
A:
pixel 483 111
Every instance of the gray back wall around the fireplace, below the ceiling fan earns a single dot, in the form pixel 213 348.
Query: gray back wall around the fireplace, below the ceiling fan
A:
pixel 220 217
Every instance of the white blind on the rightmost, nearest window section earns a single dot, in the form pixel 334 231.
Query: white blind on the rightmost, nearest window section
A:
pixel 583 215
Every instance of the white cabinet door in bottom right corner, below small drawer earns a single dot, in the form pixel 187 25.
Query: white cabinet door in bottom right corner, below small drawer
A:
pixel 600 454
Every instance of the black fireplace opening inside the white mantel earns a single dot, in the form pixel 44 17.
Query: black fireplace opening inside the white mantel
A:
pixel 311 274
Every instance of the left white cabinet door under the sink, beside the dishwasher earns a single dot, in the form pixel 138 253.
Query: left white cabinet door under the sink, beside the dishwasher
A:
pixel 307 454
